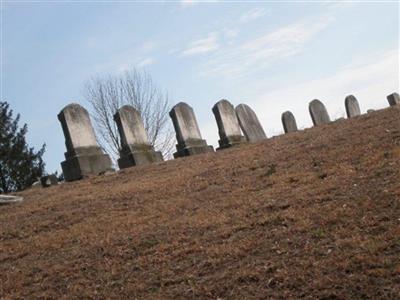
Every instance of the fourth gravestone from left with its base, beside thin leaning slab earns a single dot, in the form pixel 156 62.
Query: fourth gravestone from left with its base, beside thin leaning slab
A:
pixel 228 125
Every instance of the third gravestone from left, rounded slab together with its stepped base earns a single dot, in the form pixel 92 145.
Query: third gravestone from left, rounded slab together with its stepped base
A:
pixel 187 132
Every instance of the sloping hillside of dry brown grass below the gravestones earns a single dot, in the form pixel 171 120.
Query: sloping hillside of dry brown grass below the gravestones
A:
pixel 314 214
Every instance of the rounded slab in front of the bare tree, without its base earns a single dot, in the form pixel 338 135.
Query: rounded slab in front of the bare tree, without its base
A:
pixel 131 126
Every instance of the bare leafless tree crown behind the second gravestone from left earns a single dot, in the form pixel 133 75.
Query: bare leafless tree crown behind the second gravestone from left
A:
pixel 106 94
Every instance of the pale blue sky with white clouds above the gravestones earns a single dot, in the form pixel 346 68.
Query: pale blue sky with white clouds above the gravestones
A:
pixel 272 55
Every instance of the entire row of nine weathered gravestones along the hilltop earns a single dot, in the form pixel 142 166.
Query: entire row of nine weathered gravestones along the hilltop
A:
pixel 84 156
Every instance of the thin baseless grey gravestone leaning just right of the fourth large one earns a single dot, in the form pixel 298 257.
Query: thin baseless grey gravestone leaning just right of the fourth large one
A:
pixel 249 123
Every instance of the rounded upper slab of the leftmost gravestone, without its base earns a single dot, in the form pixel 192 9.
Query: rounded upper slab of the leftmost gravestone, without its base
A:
pixel 77 128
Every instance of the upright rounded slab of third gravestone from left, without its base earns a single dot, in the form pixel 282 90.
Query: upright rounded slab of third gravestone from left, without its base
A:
pixel 185 123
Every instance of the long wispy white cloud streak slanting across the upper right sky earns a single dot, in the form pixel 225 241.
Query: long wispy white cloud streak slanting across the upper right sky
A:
pixel 260 52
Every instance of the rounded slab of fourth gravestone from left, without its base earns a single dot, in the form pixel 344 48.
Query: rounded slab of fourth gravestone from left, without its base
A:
pixel 227 121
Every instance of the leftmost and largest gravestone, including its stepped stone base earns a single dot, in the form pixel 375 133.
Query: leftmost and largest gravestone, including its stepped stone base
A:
pixel 84 156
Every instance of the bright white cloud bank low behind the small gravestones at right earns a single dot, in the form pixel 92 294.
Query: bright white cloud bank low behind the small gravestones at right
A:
pixel 370 81
